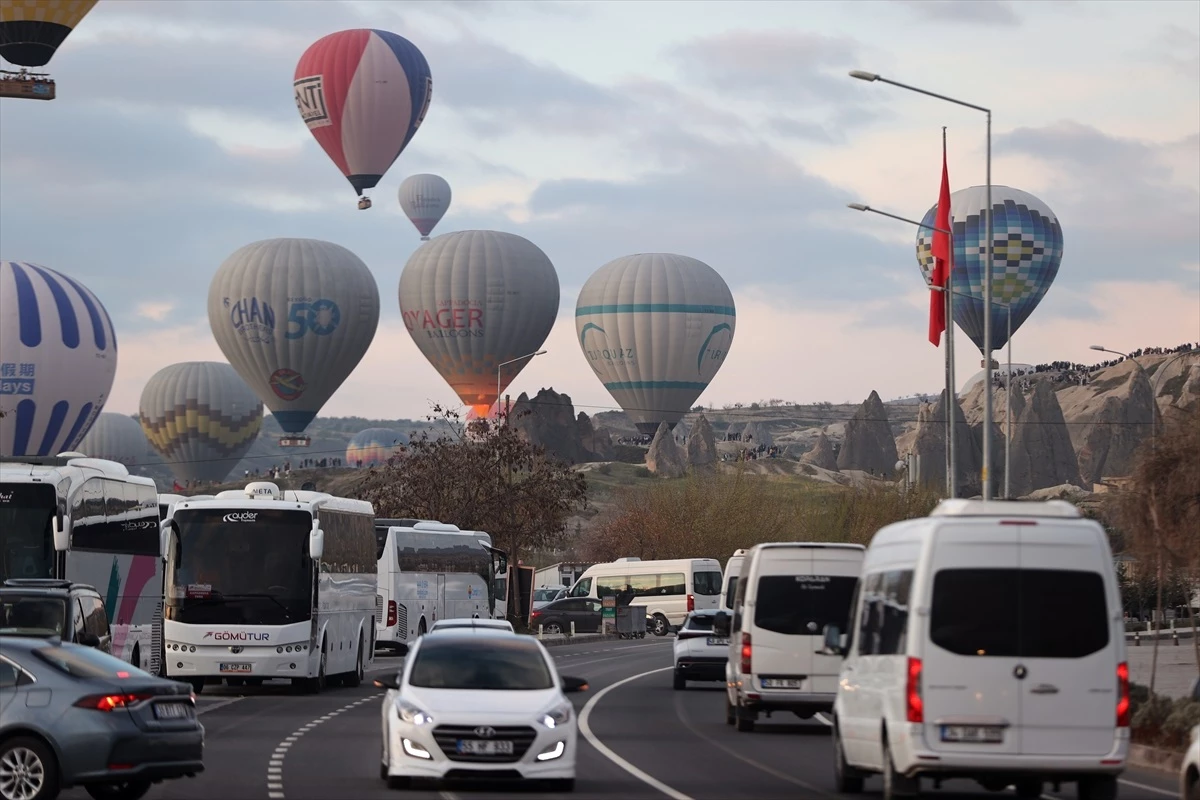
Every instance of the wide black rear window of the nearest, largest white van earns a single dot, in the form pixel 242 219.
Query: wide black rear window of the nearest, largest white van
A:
pixel 1028 613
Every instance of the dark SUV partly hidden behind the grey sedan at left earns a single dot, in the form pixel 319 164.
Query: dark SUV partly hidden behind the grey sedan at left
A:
pixel 47 607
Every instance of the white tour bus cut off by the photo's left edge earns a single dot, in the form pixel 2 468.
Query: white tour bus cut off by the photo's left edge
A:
pixel 89 521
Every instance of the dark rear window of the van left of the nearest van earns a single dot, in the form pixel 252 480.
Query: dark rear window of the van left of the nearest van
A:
pixel 802 605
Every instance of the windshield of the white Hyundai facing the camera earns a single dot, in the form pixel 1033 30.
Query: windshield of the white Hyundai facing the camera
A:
pixel 481 664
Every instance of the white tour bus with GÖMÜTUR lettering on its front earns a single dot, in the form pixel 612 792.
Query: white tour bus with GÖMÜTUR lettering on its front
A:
pixel 265 585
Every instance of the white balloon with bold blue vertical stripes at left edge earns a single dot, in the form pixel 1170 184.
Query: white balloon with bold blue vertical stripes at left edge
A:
pixel 58 357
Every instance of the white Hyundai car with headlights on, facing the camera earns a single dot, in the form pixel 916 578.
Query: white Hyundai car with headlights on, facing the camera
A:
pixel 479 705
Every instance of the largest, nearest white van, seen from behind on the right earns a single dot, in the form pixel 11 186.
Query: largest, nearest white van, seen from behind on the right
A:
pixel 988 643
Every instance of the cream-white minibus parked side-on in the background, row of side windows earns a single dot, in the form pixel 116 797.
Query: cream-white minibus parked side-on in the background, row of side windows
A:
pixel 669 590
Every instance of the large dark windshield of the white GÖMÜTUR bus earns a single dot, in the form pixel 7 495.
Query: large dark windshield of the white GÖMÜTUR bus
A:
pixel 239 568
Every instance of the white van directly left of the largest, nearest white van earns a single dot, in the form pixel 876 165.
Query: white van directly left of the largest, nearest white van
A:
pixel 787 596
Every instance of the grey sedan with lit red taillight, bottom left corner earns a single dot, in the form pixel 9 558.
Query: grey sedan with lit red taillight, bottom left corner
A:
pixel 71 715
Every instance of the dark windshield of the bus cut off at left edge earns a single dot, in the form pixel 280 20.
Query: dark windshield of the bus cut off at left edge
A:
pixel 27 548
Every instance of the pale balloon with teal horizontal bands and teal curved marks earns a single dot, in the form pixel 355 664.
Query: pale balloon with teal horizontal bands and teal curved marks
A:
pixel 656 328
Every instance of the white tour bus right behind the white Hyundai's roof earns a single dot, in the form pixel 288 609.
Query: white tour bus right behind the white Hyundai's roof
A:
pixel 430 572
